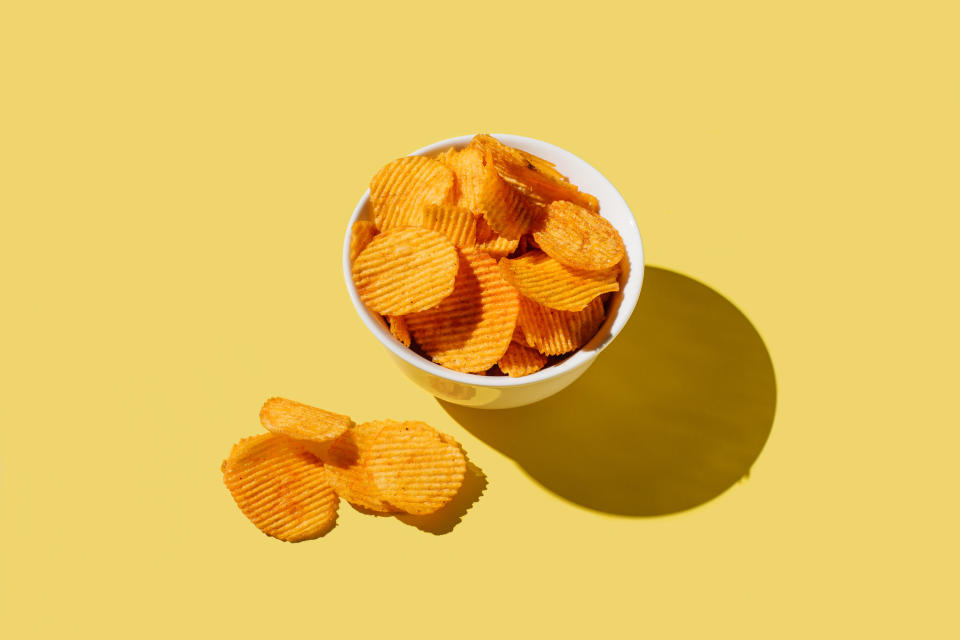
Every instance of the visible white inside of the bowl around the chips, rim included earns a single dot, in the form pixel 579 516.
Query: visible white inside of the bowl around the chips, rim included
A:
pixel 612 207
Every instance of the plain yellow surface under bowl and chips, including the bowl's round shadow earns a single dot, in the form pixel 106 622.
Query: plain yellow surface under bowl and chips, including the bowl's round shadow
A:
pixel 174 186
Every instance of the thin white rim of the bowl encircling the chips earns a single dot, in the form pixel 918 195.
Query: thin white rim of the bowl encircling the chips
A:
pixel 607 332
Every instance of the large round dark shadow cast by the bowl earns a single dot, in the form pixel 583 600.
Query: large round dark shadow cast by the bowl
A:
pixel 668 418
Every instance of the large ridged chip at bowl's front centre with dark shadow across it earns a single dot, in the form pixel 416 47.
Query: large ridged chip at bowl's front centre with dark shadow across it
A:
pixel 472 327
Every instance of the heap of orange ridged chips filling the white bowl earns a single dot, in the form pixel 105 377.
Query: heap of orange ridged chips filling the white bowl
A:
pixel 485 259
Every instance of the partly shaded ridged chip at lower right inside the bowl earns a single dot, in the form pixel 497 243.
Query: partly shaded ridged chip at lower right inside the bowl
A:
pixel 553 332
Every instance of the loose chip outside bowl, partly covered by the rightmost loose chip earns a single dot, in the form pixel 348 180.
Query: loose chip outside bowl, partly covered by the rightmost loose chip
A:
pixel 347 470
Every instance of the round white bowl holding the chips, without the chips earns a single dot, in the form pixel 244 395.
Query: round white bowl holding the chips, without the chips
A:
pixel 502 392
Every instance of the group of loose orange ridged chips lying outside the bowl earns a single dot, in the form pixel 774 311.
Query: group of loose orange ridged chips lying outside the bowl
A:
pixel 288 481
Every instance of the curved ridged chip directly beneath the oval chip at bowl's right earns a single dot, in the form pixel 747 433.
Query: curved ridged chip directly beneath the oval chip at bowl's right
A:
pixel 555 285
